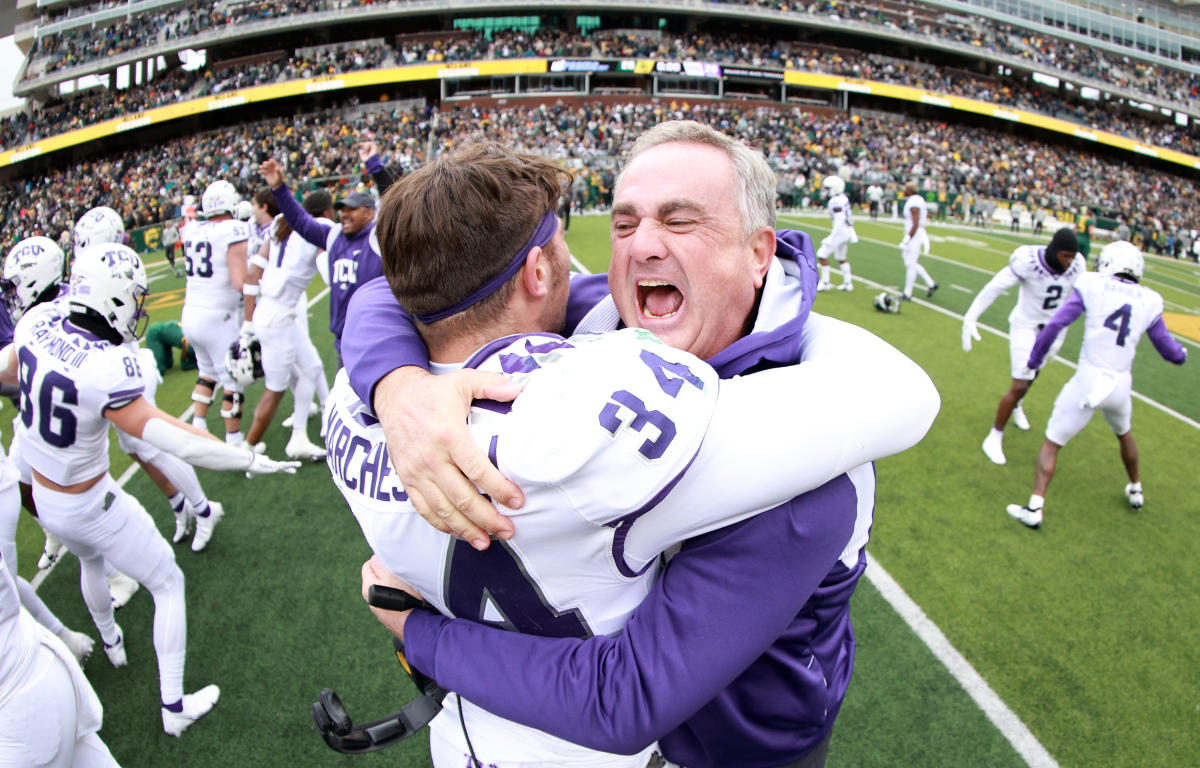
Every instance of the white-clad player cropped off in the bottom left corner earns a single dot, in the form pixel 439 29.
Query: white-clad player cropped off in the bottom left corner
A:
pixel 50 715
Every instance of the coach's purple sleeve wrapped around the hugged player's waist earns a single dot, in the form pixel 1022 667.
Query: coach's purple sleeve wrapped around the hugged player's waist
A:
pixel 722 603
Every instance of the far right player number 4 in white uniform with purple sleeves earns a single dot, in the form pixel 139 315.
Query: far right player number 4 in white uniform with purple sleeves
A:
pixel 1119 311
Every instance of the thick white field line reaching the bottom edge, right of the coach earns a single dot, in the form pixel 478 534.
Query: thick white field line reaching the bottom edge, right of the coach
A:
pixel 1005 719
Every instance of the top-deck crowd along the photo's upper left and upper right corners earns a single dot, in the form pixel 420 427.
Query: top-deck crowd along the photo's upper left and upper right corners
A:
pixel 916 20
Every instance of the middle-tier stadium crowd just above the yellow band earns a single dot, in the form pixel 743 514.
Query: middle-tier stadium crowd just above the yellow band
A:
pixel 59 117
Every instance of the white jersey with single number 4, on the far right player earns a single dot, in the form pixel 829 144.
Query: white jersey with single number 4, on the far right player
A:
pixel 1118 314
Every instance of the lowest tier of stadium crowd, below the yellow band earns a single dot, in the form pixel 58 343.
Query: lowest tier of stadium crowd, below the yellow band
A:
pixel 149 184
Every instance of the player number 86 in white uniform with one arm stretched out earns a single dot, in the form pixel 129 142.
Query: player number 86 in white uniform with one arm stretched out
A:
pixel 77 376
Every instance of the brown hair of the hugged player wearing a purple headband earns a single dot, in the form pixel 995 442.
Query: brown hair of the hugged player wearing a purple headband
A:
pixel 452 226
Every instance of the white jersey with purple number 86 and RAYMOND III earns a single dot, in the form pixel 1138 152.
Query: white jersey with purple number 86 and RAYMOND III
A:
pixel 68 379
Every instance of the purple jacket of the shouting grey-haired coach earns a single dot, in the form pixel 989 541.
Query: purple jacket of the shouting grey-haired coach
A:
pixel 740 656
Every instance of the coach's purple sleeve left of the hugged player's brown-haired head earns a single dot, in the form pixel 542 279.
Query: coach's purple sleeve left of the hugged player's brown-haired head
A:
pixel 379 338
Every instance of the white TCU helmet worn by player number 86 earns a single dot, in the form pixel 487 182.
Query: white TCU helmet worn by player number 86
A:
pixel 111 281
